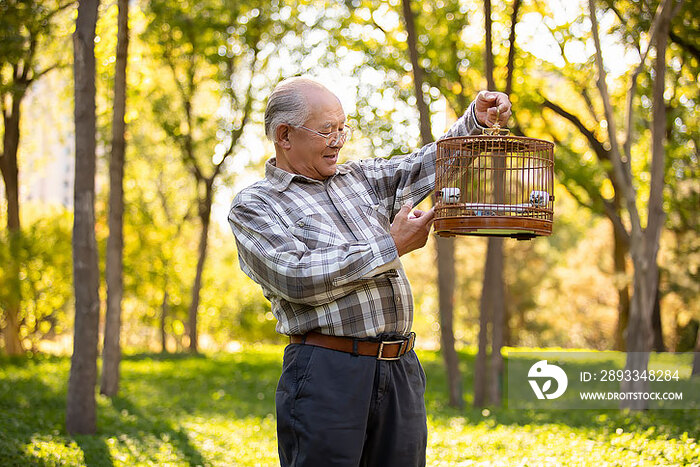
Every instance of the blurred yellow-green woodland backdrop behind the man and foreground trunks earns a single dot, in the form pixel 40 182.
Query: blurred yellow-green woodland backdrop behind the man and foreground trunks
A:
pixel 197 78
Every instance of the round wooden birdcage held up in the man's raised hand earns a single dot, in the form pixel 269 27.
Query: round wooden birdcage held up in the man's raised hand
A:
pixel 495 185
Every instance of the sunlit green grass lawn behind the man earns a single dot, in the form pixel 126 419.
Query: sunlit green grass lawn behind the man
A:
pixel 219 410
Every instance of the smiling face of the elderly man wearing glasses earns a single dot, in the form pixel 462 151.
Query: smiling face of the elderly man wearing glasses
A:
pixel 308 153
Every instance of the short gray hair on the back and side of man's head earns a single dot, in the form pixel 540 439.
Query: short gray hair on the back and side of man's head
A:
pixel 287 104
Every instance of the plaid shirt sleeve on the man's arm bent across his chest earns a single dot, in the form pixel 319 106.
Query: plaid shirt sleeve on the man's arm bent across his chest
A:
pixel 272 256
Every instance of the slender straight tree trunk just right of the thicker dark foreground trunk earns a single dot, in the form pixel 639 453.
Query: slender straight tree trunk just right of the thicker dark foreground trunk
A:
pixel 111 354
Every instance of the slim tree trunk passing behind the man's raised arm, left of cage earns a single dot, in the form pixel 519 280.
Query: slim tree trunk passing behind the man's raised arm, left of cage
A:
pixel 444 247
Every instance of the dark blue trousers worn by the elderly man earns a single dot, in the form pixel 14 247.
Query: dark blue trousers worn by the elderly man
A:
pixel 336 409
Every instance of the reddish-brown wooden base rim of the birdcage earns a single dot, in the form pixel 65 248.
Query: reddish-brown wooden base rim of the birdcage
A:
pixel 485 226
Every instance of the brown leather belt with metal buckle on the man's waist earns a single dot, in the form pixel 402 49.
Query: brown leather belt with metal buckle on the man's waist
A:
pixel 382 350
